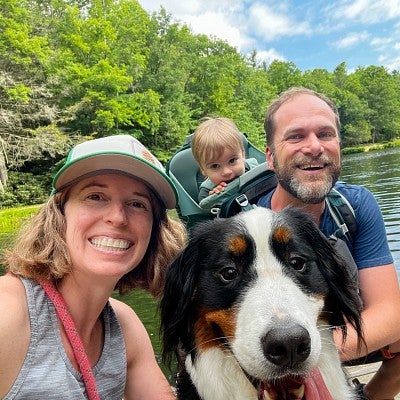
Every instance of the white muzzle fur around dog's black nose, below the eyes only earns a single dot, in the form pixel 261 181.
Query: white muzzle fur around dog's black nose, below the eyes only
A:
pixel 273 300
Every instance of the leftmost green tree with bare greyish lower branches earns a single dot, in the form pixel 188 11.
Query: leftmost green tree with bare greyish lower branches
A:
pixel 27 104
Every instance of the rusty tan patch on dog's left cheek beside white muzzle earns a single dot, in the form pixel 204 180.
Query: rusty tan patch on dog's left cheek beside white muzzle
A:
pixel 205 334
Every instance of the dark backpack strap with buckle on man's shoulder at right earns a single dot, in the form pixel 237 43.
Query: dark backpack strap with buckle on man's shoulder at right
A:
pixel 343 214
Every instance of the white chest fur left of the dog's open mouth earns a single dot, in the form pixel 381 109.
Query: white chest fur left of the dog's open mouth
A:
pixel 214 376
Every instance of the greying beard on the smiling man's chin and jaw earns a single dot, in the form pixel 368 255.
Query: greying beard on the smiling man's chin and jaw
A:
pixel 308 193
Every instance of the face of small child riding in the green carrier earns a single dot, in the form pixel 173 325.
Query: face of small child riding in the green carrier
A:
pixel 225 168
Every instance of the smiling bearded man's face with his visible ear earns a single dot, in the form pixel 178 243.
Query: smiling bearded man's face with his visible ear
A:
pixel 306 151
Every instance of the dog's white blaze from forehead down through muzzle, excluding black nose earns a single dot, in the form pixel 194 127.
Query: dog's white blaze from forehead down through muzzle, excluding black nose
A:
pixel 274 298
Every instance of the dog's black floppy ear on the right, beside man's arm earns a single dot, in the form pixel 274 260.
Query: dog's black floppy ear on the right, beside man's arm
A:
pixel 343 302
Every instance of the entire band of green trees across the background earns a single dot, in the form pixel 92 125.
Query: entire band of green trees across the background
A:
pixel 88 68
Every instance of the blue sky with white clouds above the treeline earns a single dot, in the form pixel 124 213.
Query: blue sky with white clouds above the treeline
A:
pixel 310 33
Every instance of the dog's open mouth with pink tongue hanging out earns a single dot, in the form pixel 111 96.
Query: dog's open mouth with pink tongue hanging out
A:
pixel 311 387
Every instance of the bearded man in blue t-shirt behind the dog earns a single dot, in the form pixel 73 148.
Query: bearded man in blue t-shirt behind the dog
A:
pixel 303 148
